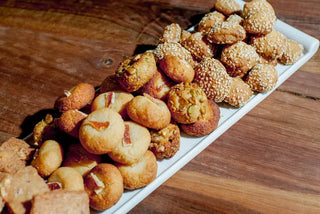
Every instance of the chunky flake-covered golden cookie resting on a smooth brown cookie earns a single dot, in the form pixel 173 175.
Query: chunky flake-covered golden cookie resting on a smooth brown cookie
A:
pixel 187 102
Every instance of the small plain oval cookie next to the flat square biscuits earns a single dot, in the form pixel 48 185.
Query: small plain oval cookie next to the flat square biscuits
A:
pixel 48 158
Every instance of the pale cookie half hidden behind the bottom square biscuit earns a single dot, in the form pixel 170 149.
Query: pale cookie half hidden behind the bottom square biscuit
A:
pixel 67 178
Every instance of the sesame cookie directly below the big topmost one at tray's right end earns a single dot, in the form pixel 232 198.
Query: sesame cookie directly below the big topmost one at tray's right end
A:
pixel 271 45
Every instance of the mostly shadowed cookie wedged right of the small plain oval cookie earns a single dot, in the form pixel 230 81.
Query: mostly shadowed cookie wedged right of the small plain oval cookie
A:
pixel 79 159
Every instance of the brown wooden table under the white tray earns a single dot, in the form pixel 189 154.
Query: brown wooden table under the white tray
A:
pixel 269 162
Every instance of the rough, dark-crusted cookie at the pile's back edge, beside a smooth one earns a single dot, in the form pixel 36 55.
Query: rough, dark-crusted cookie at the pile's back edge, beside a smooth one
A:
pixel 135 71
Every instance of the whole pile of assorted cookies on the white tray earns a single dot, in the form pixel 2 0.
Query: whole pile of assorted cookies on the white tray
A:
pixel 103 142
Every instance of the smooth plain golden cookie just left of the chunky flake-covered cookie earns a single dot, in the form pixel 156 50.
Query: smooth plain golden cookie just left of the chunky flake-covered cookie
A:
pixel 149 112
